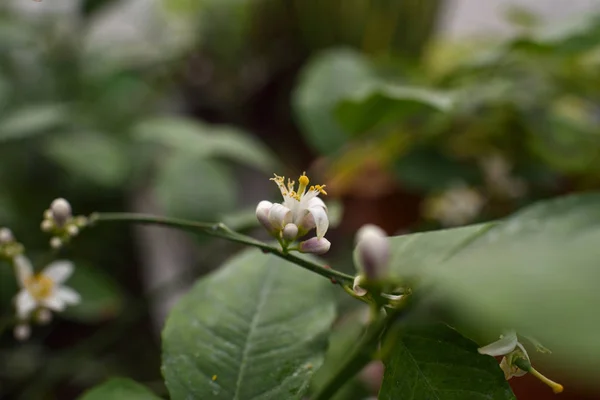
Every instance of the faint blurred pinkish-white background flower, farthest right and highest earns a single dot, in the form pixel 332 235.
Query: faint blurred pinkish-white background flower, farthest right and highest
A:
pixel 498 178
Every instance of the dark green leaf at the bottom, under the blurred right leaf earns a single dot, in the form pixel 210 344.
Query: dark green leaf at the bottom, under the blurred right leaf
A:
pixel 436 362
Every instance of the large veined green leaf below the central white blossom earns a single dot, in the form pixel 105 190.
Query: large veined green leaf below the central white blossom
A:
pixel 254 329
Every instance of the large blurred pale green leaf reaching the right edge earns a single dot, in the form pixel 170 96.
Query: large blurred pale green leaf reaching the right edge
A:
pixel 535 272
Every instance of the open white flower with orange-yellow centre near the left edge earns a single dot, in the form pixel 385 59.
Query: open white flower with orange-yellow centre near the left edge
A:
pixel 43 290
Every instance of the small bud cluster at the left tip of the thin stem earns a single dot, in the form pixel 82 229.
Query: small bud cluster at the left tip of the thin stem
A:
pixel 60 222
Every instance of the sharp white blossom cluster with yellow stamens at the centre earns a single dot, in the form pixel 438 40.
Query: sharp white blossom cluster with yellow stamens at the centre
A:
pixel 300 212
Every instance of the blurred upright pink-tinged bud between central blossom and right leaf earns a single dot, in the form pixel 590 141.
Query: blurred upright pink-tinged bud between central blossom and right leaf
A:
pixel 372 251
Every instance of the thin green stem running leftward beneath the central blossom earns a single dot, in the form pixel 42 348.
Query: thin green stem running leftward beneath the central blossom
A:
pixel 220 230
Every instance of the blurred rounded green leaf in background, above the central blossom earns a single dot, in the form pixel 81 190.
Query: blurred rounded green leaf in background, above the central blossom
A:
pixel 326 80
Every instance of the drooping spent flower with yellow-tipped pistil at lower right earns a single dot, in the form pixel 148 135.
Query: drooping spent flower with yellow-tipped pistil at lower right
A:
pixel 515 361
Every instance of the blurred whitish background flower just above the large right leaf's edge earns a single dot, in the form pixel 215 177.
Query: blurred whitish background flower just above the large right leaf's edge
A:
pixel 456 206
